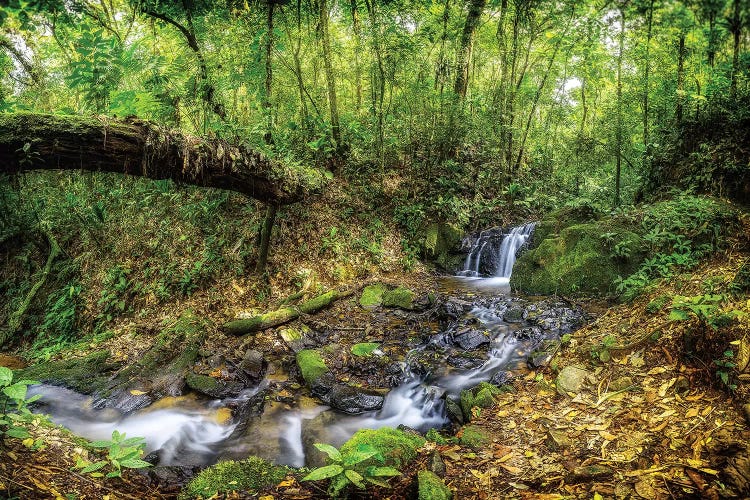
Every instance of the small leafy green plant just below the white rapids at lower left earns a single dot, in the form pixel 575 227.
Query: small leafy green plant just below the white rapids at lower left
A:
pixel 121 452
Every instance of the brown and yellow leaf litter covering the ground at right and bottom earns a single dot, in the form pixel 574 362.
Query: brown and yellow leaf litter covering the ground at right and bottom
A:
pixel 650 419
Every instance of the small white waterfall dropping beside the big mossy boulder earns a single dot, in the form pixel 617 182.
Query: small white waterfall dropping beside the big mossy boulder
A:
pixel 493 253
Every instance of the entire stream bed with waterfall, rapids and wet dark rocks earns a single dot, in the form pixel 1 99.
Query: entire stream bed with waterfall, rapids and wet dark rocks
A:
pixel 500 330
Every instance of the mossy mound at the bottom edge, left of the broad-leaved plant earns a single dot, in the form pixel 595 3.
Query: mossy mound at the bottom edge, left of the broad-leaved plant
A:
pixel 250 475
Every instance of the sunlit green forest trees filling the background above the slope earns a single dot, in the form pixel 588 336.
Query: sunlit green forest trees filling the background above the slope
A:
pixel 467 102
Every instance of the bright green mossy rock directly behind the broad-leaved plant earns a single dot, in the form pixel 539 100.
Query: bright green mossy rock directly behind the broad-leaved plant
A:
pixel 397 447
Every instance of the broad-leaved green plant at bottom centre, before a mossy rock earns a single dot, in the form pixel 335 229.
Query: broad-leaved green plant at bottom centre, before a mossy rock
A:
pixel 348 468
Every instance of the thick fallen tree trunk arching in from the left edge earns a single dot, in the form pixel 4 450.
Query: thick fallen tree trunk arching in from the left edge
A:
pixel 136 147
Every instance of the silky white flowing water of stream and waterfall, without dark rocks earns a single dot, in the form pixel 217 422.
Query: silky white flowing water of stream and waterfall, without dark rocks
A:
pixel 187 431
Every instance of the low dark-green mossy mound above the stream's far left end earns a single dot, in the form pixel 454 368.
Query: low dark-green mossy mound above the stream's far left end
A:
pixel 85 375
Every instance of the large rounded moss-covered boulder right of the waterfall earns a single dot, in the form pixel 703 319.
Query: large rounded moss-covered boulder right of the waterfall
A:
pixel 583 258
